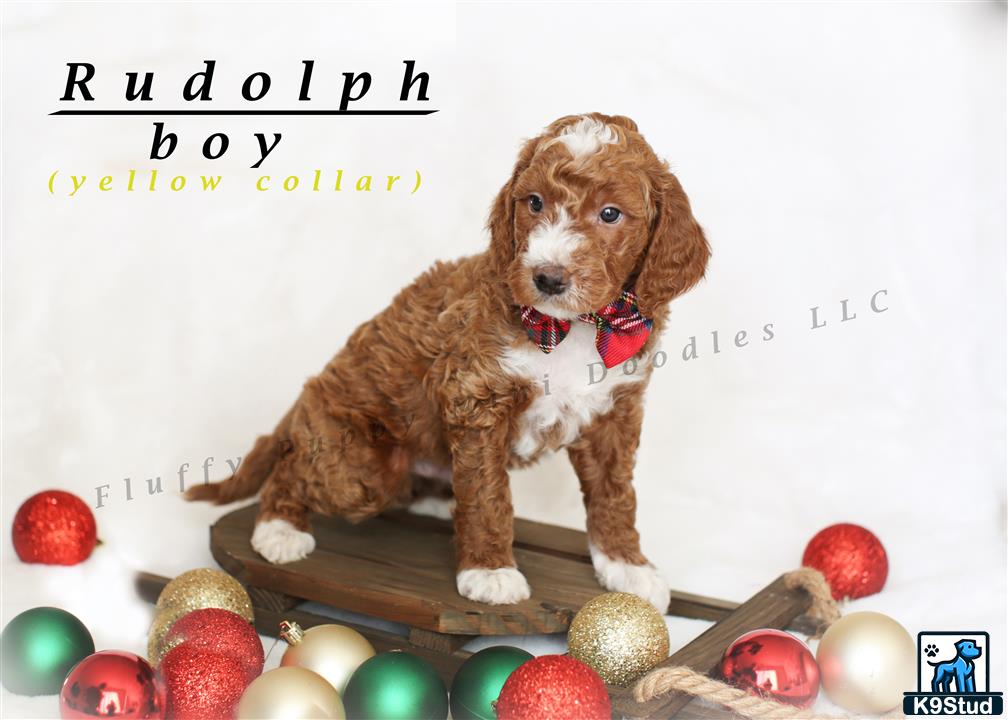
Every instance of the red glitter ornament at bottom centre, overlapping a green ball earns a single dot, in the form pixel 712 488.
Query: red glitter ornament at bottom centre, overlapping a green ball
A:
pixel 555 687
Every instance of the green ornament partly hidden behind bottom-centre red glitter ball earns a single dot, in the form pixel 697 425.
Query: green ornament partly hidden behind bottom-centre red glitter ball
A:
pixel 479 681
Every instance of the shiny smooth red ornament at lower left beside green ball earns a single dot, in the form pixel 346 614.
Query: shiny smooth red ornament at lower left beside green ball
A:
pixel 112 684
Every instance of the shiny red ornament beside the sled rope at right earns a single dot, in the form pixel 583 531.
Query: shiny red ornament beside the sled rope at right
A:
pixel 773 664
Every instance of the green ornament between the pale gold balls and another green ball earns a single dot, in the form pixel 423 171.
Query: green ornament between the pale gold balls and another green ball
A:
pixel 396 686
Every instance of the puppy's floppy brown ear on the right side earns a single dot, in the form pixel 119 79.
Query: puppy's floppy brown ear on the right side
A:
pixel 678 252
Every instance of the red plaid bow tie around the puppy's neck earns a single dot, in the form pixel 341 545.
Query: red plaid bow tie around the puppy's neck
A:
pixel 621 329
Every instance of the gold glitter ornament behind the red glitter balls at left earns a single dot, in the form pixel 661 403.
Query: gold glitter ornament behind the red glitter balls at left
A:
pixel 195 590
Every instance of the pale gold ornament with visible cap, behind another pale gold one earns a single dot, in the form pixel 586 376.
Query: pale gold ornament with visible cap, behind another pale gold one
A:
pixel 334 652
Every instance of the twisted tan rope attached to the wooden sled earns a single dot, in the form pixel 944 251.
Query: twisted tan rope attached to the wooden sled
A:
pixel 681 679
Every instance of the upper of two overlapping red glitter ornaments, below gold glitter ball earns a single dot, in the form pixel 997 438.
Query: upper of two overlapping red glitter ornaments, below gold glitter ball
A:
pixel 222 632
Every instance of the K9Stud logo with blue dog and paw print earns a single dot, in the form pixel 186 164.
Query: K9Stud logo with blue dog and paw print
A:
pixel 953 676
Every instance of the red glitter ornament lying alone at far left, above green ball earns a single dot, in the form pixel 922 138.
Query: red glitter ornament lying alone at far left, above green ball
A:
pixel 54 528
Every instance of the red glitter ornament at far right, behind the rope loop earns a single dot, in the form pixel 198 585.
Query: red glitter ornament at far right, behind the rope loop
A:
pixel 851 558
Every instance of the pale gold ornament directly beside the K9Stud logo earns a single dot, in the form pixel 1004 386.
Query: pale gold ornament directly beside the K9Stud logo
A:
pixel 867 661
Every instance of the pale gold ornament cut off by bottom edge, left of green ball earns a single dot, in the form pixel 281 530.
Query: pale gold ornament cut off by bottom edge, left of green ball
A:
pixel 291 694
